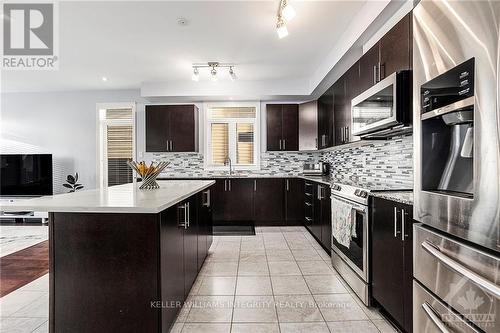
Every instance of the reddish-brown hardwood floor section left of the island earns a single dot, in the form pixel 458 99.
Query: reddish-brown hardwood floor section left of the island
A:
pixel 20 268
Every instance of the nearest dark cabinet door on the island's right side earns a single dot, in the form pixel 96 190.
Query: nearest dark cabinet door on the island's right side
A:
pixel 172 263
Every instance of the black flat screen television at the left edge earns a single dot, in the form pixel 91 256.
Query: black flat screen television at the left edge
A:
pixel 25 175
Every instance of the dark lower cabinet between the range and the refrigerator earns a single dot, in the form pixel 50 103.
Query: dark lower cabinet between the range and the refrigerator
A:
pixel 392 259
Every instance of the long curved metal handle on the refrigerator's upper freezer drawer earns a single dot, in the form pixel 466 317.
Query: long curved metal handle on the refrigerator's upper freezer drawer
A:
pixel 482 282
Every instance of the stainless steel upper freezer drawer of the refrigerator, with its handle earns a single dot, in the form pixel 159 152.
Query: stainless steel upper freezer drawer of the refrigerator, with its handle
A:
pixel 467 278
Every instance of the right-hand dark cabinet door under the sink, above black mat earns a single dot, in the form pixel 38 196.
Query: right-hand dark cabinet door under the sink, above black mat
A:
pixel 240 199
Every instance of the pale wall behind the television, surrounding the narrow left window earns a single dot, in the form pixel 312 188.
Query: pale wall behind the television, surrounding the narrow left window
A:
pixel 59 123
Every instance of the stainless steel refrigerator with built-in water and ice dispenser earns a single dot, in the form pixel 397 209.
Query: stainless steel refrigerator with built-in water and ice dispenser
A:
pixel 457 166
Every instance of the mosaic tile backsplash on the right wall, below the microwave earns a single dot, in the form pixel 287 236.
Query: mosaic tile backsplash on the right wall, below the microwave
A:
pixel 383 164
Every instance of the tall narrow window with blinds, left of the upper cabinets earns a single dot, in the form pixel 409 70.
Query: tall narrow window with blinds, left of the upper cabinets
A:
pixel 116 145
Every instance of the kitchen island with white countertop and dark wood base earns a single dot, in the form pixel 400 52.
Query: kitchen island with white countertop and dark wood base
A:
pixel 123 259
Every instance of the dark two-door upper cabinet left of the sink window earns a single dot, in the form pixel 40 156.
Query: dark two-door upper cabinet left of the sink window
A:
pixel 171 128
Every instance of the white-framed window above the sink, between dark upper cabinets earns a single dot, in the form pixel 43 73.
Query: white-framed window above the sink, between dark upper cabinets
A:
pixel 232 133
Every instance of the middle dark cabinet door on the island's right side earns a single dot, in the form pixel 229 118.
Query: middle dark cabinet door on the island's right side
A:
pixel 190 243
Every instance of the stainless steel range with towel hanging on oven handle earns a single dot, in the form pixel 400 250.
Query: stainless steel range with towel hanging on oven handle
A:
pixel 350 247
